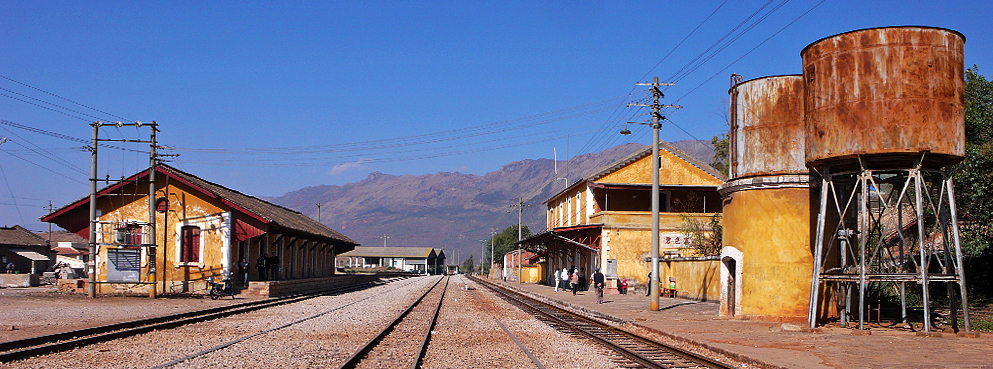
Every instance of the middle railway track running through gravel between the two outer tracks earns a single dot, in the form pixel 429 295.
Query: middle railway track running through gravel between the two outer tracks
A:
pixel 383 342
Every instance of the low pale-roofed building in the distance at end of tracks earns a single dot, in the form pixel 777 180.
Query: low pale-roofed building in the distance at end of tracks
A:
pixel 425 260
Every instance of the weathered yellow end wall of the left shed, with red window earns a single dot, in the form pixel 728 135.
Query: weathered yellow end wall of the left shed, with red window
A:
pixel 184 206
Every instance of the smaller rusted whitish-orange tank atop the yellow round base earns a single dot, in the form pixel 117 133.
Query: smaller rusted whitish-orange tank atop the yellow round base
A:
pixel 767 129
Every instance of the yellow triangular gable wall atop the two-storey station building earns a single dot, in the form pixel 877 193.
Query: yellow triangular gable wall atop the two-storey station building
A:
pixel 673 171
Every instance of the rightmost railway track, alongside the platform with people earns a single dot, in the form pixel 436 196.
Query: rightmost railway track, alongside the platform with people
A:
pixel 634 349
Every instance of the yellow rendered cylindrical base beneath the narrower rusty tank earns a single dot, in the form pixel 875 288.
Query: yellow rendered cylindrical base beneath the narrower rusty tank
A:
pixel 772 229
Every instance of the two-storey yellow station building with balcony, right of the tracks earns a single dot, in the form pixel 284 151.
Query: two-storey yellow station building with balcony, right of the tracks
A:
pixel 604 221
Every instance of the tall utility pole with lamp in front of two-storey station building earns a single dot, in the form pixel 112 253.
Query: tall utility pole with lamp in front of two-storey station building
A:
pixel 653 285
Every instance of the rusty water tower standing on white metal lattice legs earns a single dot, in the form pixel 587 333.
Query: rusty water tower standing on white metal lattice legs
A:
pixel 884 124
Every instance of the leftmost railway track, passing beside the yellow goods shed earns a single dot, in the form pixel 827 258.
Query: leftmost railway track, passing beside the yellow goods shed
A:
pixel 53 343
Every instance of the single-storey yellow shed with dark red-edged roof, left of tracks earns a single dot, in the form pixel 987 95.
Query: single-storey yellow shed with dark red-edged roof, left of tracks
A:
pixel 202 229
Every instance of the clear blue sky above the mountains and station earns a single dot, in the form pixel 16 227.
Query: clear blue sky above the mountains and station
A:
pixel 267 98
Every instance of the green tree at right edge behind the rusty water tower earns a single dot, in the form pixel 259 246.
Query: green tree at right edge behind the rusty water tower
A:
pixel 974 175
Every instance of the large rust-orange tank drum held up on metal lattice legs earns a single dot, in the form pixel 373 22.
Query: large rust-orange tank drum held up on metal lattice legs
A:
pixel 886 94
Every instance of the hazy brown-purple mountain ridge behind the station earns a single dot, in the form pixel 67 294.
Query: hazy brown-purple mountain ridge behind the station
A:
pixel 451 210
